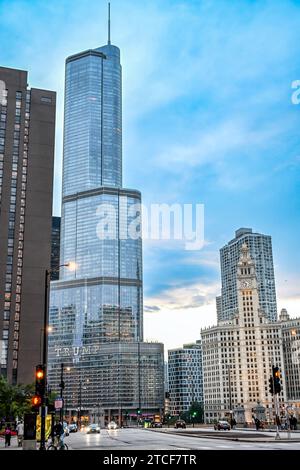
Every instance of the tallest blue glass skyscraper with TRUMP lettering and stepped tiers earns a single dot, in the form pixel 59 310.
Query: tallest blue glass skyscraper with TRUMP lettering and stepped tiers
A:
pixel 96 310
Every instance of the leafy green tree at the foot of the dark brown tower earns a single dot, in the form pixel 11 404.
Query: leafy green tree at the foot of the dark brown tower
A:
pixel 15 400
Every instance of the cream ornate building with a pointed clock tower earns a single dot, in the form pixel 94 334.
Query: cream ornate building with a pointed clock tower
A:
pixel 238 355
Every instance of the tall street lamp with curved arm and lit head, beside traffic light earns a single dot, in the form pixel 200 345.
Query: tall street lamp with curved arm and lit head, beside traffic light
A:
pixel 44 357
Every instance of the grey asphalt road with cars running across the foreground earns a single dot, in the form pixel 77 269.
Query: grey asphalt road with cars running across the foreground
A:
pixel 135 439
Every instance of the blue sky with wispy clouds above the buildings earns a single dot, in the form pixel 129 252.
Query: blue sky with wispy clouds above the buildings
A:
pixel 208 118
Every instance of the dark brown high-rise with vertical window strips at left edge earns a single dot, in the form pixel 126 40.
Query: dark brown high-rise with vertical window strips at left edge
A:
pixel 27 126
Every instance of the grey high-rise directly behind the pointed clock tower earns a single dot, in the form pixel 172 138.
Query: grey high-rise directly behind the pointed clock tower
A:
pixel 260 247
